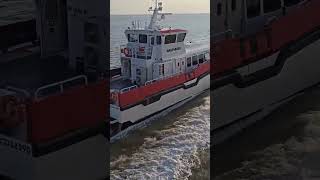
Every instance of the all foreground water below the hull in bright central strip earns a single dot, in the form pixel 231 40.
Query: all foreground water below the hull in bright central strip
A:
pixel 175 147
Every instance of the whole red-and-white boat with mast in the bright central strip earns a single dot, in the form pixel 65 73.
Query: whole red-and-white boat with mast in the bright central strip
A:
pixel 159 72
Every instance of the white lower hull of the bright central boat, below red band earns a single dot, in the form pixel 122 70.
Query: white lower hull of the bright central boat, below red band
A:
pixel 140 114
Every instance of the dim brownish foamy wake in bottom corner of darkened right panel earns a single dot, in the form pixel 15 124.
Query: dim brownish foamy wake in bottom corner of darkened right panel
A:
pixel 296 158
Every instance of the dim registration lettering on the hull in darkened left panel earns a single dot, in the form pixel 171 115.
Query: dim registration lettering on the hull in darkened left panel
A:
pixel 16 145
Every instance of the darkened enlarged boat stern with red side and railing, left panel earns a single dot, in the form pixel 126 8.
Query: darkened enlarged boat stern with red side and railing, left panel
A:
pixel 54 93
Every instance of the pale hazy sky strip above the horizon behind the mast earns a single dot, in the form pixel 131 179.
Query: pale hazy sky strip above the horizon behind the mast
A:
pixel 170 6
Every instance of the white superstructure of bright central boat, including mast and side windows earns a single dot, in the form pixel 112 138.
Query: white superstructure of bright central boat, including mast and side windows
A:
pixel 154 53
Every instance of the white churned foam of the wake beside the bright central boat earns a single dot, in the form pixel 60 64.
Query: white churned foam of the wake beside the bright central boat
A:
pixel 170 153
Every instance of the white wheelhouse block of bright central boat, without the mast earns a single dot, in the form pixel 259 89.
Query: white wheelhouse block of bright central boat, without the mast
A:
pixel 148 49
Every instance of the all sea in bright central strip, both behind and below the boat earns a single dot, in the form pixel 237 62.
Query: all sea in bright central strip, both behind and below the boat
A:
pixel 177 145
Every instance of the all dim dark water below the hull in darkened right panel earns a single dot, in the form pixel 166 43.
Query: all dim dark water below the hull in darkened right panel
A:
pixel 285 146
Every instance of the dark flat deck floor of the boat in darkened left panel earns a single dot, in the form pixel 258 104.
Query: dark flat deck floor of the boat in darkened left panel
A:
pixel 32 72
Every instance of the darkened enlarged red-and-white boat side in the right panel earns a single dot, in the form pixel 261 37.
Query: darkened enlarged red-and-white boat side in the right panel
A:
pixel 266 52
